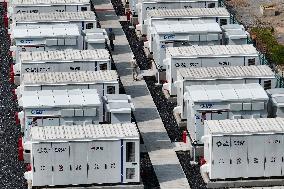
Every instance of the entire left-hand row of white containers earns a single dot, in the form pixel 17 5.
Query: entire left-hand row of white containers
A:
pixel 77 128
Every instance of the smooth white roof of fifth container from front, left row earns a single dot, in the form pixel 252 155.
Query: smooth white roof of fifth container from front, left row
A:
pixel 42 31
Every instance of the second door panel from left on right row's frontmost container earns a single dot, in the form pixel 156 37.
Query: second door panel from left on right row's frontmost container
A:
pixel 239 147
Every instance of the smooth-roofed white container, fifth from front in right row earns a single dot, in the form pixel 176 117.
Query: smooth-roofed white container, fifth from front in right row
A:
pixel 182 33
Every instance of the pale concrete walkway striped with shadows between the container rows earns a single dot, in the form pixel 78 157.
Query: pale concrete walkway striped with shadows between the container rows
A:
pixel 157 143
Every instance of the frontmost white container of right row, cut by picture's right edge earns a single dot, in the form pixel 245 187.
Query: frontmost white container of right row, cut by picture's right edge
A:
pixel 243 148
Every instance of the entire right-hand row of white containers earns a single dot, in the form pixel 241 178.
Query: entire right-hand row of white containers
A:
pixel 226 93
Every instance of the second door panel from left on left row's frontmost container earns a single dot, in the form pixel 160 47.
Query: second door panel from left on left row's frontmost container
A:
pixel 61 170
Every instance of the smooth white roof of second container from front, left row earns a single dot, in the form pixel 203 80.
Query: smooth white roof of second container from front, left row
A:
pixel 60 98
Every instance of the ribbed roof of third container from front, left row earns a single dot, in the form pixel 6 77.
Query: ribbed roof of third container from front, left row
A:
pixel 59 78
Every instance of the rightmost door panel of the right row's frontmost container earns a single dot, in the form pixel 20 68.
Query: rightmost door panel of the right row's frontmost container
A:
pixel 273 155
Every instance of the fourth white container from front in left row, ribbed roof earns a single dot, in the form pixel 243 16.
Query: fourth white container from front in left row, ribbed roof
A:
pixel 63 61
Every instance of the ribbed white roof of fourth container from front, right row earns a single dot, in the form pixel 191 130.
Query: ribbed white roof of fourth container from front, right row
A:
pixel 212 51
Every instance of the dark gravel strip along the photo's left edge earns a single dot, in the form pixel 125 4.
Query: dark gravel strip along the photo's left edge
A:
pixel 11 170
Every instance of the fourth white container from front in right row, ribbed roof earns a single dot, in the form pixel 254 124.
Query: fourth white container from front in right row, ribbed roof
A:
pixel 207 56
